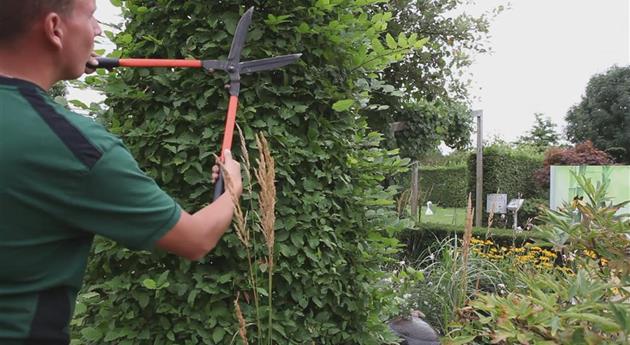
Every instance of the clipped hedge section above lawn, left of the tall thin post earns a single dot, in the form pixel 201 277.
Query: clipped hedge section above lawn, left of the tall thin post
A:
pixel 444 186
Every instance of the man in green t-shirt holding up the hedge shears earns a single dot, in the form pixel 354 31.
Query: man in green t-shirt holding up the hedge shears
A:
pixel 64 178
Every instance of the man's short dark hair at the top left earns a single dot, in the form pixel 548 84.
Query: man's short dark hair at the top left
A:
pixel 17 15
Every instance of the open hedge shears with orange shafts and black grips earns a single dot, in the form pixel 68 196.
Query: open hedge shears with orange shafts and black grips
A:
pixel 233 66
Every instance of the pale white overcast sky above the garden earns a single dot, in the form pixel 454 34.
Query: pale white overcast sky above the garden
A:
pixel 544 53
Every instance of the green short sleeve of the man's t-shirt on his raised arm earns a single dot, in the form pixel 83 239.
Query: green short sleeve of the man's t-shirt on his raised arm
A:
pixel 122 203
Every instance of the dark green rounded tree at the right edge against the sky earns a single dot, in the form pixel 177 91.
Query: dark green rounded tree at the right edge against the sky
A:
pixel 602 114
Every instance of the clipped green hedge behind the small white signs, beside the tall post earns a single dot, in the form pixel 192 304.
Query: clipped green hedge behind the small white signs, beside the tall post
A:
pixel 507 171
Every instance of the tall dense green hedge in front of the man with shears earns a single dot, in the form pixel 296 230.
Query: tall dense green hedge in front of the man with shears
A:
pixel 335 224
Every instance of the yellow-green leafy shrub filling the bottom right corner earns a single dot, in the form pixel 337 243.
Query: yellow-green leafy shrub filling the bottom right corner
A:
pixel 586 302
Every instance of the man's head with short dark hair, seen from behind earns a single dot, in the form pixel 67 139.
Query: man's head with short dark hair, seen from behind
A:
pixel 62 30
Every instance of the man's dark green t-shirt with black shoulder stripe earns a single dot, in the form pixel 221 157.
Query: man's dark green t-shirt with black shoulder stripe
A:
pixel 63 179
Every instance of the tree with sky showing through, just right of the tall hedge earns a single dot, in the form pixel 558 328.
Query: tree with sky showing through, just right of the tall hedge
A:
pixel 428 89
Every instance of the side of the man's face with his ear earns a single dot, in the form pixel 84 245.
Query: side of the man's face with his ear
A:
pixel 78 42
